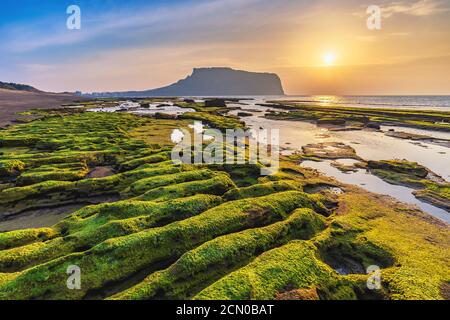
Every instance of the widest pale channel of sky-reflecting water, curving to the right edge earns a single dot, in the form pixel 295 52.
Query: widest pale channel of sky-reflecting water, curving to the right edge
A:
pixel 369 145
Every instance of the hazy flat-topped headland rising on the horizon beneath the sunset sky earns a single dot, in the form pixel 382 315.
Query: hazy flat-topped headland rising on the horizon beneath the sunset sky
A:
pixel 216 82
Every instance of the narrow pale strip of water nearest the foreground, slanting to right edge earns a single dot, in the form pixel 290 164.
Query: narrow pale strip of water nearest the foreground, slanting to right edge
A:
pixel 374 184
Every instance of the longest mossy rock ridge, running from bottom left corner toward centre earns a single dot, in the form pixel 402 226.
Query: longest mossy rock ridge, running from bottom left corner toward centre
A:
pixel 117 258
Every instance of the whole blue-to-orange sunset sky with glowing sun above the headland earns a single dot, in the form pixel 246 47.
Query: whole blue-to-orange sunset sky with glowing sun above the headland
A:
pixel 316 47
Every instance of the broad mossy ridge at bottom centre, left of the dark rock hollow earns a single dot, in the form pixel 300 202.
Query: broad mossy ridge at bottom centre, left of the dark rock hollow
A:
pixel 294 265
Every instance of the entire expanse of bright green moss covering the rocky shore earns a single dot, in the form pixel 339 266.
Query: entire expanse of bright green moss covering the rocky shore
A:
pixel 209 231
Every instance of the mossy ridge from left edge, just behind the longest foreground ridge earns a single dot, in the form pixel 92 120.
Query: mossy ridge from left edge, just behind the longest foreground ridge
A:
pixel 81 232
